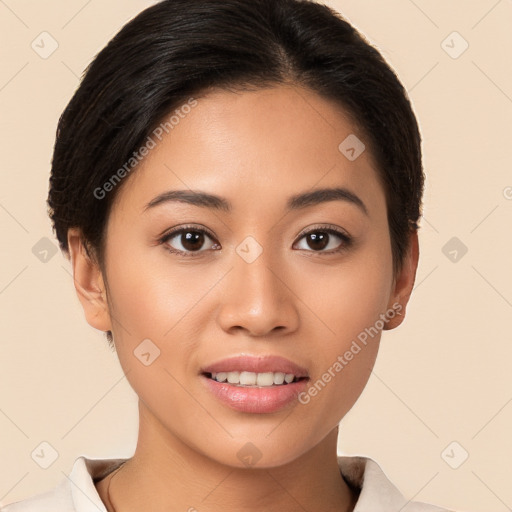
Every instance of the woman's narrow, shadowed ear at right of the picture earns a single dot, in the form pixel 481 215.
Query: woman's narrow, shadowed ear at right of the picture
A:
pixel 404 283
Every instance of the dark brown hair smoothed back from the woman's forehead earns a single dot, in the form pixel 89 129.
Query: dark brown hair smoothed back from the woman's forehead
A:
pixel 178 49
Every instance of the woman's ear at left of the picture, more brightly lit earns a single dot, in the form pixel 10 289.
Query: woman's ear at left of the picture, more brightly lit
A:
pixel 89 283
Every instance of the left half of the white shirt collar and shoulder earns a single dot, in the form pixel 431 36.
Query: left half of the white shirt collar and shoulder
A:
pixel 74 493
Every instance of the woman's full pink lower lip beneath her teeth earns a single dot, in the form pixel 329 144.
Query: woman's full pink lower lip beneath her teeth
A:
pixel 253 399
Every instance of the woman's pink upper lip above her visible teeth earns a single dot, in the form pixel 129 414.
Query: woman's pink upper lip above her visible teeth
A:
pixel 256 364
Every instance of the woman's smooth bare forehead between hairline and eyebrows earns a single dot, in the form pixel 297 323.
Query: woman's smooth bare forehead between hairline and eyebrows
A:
pixel 253 147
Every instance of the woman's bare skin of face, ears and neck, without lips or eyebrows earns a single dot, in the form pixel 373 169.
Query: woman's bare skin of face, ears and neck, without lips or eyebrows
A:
pixel 254 148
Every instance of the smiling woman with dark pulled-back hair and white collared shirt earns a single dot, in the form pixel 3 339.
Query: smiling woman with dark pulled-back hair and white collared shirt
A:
pixel 237 185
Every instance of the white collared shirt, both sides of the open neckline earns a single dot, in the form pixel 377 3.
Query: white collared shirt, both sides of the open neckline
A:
pixel 77 492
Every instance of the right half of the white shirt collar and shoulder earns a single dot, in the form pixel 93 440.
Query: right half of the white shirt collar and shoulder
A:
pixel 376 491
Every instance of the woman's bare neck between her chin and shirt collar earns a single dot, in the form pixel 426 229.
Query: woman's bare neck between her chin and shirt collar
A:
pixel 166 474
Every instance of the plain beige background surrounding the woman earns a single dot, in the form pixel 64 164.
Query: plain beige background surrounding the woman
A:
pixel 443 376
